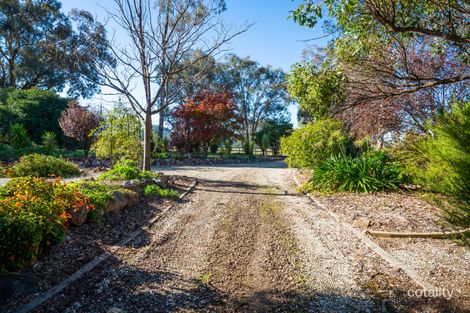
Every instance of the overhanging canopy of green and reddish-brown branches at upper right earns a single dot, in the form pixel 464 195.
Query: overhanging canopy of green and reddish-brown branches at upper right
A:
pixel 404 62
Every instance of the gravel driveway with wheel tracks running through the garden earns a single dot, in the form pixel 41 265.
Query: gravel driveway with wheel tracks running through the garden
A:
pixel 246 241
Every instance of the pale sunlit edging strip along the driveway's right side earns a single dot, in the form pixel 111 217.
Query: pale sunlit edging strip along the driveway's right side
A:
pixel 389 258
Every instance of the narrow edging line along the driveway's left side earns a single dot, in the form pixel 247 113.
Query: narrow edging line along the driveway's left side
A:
pixel 40 299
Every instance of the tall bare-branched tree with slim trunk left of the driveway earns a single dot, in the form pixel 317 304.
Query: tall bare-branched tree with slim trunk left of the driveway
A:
pixel 161 34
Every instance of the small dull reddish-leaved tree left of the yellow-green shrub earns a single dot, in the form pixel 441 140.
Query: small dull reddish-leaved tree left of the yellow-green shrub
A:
pixel 77 122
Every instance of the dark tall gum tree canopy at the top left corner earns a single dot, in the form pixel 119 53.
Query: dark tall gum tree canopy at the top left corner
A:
pixel 44 48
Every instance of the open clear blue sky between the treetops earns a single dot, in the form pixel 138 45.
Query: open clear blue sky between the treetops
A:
pixel 273 39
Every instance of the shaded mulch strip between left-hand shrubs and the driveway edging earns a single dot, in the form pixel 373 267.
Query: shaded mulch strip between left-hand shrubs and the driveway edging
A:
pixel 84 243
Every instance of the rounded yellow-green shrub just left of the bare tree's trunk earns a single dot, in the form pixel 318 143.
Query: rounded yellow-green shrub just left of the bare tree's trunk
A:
pixel 118 137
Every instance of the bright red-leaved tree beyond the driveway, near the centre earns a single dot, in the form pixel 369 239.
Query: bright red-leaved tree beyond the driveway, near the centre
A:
pixel 206 118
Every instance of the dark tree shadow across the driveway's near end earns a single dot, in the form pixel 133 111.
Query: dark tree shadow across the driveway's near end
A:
pixel 125 287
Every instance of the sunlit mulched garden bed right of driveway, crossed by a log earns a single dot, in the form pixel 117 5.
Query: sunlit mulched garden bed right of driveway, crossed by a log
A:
pixel 439 262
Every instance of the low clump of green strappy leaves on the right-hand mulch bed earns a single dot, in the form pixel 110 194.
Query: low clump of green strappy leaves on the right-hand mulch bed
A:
pixel 368 173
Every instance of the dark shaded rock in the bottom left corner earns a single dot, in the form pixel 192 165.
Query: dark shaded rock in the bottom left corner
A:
pixel 17 284
